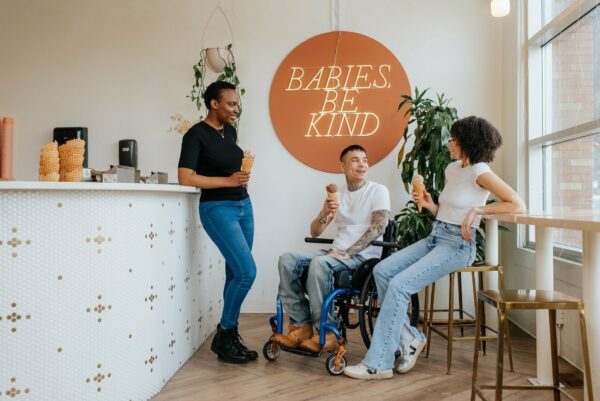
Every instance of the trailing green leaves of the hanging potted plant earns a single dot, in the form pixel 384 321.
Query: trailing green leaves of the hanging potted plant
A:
pixel 229 74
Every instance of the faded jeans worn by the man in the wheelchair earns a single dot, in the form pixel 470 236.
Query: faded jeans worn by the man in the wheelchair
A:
pixel 319 284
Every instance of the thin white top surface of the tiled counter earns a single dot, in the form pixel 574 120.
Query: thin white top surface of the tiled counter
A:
pixel 92 186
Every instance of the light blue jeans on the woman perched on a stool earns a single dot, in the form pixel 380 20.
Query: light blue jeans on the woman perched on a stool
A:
pixel 405 273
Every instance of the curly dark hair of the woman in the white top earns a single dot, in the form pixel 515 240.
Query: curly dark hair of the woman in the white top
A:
pixel 478 138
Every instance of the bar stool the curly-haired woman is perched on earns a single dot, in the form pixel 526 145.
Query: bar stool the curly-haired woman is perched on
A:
pixel 431 325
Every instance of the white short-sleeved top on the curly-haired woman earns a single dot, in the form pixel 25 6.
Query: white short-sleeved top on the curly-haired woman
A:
pixel 461 193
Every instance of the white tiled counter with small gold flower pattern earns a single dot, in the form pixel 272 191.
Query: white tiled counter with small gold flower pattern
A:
pixel 105 289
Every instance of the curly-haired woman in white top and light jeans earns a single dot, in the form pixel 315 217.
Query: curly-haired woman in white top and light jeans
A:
pixel 450 246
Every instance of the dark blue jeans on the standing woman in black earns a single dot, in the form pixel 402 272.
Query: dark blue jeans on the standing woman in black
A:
pixel 230 224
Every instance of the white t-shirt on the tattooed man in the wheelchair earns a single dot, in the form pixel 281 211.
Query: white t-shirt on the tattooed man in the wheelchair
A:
pixel 354 215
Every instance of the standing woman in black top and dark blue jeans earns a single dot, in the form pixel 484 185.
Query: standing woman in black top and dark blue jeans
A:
pixel 210 159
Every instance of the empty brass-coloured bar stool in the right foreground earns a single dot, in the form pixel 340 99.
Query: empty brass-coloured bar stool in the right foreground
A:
pixel 506 300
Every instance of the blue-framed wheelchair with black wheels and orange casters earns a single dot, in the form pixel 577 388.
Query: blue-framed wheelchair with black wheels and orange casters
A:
pixel 353 290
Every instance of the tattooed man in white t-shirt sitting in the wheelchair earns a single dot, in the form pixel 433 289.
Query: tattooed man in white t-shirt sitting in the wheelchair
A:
pixel 361 216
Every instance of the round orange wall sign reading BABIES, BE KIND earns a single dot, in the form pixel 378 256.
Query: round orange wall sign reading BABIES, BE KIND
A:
pixel 334 90
